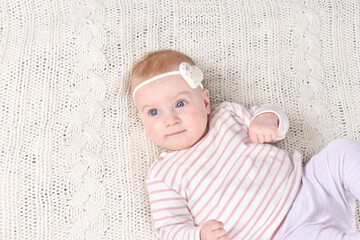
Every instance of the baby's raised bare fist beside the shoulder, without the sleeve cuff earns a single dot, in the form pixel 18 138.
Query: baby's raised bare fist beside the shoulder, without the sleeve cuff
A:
pixel 264 128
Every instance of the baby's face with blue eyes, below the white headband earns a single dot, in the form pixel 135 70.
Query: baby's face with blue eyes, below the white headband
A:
pixel 174 115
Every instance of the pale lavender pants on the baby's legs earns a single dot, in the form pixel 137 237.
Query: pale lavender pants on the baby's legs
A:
pixel 325 205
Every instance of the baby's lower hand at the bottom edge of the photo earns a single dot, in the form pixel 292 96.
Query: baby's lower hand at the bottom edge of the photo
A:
pixel 213 230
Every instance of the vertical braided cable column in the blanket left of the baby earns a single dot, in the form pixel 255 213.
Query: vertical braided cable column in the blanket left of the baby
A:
pixel 84 162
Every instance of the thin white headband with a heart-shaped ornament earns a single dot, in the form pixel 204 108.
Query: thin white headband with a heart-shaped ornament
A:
pixel 192 75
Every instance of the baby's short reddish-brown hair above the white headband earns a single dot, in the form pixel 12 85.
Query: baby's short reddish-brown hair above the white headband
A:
pixel 156 63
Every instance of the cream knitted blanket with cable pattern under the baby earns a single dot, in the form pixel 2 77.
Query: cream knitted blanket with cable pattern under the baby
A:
pixel 73 155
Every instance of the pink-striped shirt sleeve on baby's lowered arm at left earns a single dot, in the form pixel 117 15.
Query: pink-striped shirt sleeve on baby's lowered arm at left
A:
pixel 171 216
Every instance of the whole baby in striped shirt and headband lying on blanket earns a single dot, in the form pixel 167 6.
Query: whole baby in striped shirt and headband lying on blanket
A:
pixel 218 179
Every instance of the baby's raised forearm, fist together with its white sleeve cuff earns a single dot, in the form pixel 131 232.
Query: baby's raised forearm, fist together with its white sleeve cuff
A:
pixel 268 124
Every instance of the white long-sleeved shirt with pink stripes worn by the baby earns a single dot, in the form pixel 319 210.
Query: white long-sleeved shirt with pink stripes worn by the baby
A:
pixel 224 176
